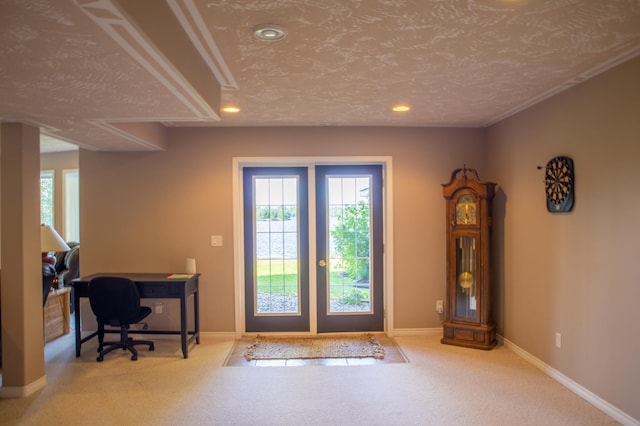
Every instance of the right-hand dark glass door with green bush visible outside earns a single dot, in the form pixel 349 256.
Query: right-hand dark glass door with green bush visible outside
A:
pixel 349 247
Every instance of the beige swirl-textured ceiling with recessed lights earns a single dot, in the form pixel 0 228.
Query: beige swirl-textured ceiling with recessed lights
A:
pixel 116 74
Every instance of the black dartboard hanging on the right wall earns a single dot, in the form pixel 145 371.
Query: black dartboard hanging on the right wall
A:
pixel 559 184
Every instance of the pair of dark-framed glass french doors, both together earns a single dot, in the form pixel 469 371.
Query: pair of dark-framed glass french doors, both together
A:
pixel 348 280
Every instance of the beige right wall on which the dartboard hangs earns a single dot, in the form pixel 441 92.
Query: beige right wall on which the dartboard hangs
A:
pixel 575 273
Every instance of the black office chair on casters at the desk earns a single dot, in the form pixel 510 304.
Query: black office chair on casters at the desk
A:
pixel 115 301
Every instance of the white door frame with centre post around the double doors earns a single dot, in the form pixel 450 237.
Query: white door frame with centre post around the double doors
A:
pixel 310 162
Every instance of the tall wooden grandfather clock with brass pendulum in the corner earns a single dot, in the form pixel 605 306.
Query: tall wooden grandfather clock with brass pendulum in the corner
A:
pixel 468 319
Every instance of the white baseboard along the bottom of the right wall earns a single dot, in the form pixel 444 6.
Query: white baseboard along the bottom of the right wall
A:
pixel 574 387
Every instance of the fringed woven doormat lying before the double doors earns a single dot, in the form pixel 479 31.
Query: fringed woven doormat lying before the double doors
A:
pixel 358 346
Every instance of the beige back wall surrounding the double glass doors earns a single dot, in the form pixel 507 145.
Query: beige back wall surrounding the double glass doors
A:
pixel 149 211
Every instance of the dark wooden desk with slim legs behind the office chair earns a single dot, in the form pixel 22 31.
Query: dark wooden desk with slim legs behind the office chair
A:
pixel 150 286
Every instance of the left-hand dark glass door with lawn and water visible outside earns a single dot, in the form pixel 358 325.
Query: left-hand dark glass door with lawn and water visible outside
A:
pixel 276 249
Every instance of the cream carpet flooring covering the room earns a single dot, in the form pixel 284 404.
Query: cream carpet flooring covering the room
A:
pixel 440 385
